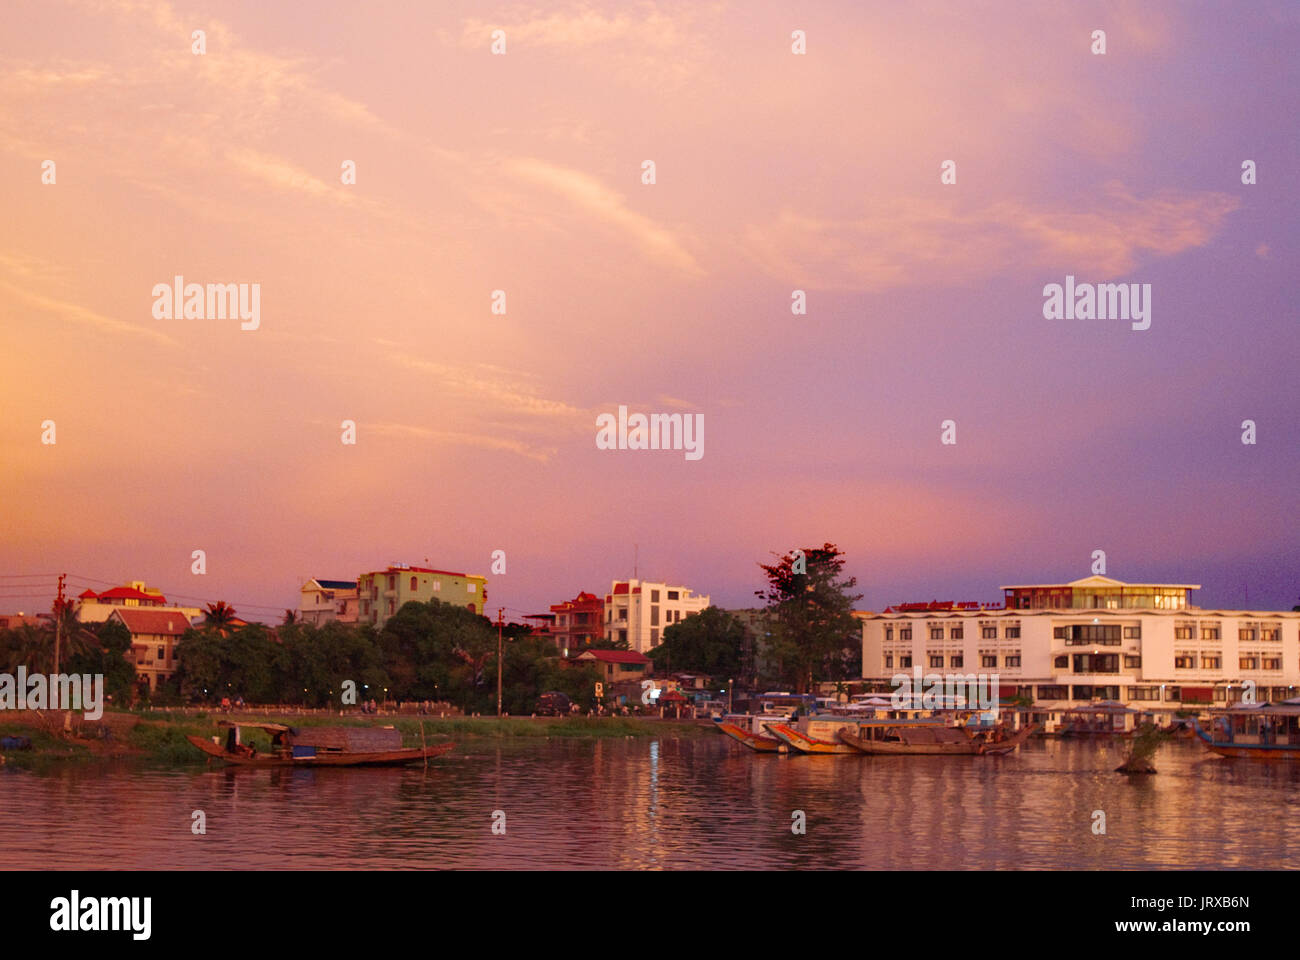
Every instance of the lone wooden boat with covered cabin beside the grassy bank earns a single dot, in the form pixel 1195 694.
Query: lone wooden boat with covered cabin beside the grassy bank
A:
pixel 318 747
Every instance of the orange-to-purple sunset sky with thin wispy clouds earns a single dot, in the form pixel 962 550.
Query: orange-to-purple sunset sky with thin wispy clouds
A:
pixel 523 172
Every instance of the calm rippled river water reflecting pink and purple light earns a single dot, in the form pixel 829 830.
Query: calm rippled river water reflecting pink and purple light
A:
pixel 651 805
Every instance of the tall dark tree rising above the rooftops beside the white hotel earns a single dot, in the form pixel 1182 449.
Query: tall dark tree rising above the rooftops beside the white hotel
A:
pixel 812 615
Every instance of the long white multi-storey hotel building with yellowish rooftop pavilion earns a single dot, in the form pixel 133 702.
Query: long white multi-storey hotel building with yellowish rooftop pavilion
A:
pixel 1094 639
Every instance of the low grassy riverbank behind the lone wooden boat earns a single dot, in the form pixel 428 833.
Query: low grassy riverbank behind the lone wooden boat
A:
pixel 161 737
